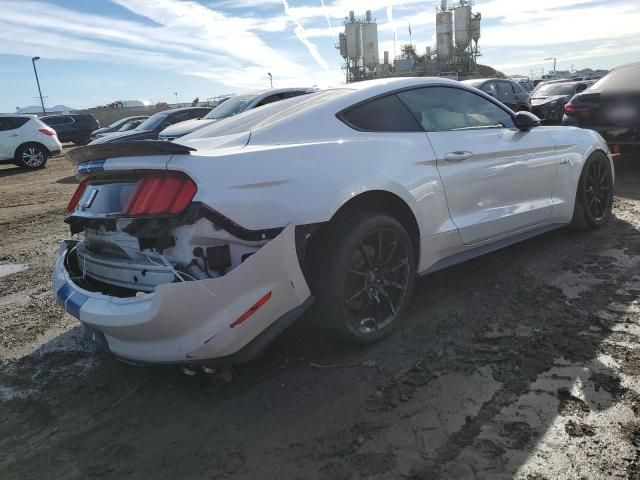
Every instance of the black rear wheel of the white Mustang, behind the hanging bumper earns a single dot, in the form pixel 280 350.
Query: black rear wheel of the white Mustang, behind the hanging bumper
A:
pixel 368 277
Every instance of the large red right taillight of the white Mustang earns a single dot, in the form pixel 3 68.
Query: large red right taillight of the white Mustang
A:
pixel 161 194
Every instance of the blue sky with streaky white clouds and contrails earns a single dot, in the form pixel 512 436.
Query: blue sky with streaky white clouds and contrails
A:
pixel 97 51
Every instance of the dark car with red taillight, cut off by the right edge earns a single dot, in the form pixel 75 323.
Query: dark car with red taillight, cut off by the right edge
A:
pixel 611 106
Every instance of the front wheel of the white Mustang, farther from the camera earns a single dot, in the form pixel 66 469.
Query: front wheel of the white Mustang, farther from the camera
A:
pixel 594 197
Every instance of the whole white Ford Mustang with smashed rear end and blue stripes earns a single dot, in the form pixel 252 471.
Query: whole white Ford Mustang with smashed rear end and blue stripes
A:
pixel 204 251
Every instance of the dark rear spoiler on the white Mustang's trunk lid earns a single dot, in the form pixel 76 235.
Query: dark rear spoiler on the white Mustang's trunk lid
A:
pixel 103 151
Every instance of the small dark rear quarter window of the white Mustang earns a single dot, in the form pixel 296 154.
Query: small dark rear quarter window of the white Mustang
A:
pixel 386 114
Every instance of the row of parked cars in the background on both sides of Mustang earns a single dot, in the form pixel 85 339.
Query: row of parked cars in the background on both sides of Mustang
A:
pixel 604 105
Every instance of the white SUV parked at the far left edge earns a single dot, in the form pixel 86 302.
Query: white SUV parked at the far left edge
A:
pixel 27 141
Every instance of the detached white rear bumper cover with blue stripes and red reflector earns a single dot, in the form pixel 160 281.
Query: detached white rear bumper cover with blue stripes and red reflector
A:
pixel 192 321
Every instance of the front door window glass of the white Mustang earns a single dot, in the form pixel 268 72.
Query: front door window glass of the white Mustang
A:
pixel 443 109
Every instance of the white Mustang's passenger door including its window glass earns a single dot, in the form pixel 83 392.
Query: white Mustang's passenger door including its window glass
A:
pixel 497 179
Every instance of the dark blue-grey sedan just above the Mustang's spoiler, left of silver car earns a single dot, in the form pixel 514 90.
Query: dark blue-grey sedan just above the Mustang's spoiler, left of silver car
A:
pixel 152 126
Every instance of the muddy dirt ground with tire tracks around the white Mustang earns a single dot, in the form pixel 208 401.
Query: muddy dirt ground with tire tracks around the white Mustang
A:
pixel 521 364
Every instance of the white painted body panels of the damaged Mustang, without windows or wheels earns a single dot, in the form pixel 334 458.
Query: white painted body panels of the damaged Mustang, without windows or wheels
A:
pixel 294 163
